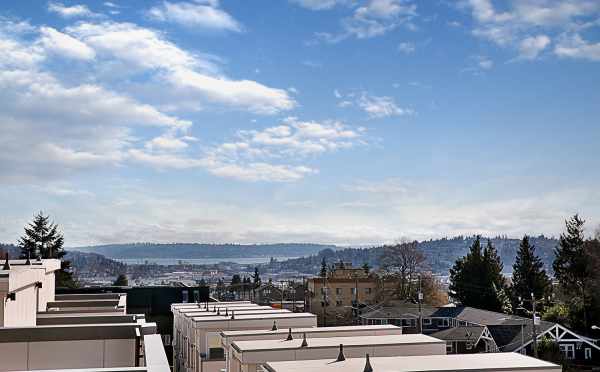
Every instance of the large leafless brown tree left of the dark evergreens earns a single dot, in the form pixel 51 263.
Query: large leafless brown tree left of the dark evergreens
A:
pixel 406 261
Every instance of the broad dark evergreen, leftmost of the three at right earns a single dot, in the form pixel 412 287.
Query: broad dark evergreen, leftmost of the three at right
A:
pixel 476 279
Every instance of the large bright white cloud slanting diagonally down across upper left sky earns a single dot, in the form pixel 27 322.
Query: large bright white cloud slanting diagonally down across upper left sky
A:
pixel 188 74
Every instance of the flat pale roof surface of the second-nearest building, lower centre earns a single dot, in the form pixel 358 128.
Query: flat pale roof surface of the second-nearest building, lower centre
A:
pixel 334 342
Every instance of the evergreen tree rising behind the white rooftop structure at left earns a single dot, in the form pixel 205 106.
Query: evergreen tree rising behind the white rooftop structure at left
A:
pixel 43 239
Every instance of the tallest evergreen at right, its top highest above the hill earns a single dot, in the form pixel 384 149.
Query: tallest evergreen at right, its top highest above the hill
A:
pixel 572 266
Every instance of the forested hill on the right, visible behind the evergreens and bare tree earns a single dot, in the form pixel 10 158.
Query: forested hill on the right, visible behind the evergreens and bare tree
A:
pixel 440 254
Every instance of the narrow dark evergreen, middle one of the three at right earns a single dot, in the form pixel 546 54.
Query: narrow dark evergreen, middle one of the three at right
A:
pixel 529 275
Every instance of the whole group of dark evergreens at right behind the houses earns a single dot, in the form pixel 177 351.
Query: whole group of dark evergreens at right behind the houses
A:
pixel 573 299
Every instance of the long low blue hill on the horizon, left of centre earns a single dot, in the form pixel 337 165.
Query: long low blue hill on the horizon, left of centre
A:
pixel 196 250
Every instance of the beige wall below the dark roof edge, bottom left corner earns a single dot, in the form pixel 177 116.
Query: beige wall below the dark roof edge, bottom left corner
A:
pixel 19 356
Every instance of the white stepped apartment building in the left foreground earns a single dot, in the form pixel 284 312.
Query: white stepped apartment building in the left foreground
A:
pixel 44 331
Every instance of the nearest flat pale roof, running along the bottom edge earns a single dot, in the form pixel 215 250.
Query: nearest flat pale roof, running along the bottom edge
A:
pixel 439 363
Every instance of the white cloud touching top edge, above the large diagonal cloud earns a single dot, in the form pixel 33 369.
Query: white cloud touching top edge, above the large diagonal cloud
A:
pixel 204 14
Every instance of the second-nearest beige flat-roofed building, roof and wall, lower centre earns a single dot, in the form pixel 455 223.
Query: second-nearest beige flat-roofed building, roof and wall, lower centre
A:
pixel 248 356
